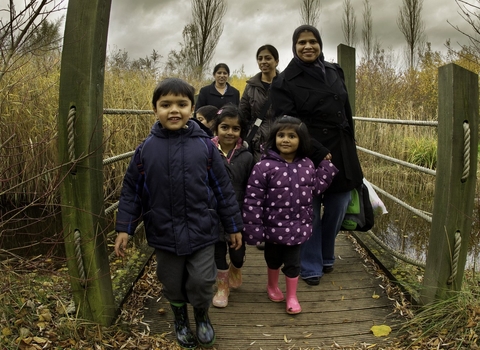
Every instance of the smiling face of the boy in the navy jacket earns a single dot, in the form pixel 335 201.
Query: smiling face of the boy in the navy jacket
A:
pixel 173 111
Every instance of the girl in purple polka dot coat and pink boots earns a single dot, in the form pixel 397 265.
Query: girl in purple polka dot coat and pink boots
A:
pixel 278 208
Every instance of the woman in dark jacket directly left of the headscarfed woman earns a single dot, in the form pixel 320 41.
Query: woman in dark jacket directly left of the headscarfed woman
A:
pixel 255 97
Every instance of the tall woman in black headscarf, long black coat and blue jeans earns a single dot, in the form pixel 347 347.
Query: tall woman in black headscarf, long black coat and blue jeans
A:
pixel 314 91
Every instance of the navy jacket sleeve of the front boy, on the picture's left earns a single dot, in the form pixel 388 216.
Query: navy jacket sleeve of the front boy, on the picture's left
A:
pixel 130 205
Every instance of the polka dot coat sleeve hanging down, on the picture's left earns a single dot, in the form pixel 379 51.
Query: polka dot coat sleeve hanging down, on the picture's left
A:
pixel 253 206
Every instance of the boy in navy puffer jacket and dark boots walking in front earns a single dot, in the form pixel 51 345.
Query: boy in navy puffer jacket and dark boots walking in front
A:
pixel 177 182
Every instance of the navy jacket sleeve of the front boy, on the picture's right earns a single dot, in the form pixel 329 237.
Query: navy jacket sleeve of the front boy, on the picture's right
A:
pixel 227 205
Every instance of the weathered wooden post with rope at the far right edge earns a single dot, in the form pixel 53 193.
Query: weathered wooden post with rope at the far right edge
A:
pixel 454 184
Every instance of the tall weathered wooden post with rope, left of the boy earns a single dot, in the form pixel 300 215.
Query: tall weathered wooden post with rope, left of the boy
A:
pixel 80 147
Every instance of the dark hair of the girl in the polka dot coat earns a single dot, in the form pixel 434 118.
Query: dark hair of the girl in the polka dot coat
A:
pixel 300 128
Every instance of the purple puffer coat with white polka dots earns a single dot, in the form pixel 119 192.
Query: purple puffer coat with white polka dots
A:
pixel 278 201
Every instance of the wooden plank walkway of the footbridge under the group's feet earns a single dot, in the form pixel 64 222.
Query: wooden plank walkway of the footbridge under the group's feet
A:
pixel 340 310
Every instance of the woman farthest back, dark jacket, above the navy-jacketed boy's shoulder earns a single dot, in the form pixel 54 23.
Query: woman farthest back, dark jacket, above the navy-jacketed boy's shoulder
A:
pixel 220 92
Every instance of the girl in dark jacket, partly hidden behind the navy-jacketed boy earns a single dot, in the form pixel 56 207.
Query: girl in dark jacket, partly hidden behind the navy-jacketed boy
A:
pixel 229 127
